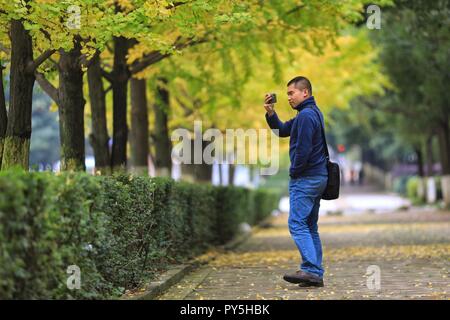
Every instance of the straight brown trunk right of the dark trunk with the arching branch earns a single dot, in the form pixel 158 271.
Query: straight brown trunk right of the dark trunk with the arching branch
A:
pixel 139 125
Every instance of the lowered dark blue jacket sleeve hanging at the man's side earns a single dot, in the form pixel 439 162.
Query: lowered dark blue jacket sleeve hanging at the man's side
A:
pixel 304 145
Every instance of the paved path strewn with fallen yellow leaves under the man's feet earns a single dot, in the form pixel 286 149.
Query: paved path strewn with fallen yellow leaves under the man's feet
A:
pixel 411 249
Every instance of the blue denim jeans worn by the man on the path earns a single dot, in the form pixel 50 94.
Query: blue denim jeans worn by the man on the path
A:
pixel 304 201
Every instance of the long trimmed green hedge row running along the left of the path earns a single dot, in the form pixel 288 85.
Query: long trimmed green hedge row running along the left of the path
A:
pixel 119 230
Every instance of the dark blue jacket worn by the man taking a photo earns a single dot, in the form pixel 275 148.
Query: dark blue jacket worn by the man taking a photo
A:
pixel 306 147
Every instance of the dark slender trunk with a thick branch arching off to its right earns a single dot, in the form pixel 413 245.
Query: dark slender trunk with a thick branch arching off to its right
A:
pixel 120 75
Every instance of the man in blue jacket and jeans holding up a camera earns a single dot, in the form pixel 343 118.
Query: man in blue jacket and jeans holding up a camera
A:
pixel 308 177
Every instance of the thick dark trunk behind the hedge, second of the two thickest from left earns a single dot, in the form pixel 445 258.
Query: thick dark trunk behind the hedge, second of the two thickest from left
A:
pixel 71 110
